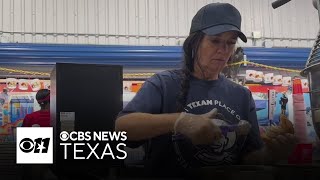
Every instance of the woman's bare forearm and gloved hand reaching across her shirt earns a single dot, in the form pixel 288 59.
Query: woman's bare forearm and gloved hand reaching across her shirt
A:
pixel 199 128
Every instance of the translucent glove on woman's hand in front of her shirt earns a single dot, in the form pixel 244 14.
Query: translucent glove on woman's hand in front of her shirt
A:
pixel 199 128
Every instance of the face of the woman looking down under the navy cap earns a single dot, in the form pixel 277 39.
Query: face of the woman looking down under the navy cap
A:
pixel 213 54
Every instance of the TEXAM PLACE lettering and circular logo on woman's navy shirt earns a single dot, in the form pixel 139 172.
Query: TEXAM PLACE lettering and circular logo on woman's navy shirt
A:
pixel 221 152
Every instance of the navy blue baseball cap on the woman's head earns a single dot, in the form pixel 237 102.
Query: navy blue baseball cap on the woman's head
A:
pixel 216 18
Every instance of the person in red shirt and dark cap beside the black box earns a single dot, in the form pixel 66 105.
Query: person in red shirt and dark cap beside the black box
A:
pixel 42 117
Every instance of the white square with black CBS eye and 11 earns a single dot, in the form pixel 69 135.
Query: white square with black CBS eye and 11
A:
pixel 34 145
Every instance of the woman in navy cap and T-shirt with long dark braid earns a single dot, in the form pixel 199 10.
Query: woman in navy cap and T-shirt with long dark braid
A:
pixel 175 107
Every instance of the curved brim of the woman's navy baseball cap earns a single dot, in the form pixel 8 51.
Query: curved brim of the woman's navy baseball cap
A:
pixel 214 30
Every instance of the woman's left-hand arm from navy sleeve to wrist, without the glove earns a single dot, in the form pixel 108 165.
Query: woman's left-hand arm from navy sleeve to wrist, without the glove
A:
pixel 142 118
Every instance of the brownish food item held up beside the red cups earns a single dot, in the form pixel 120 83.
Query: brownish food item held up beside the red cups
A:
pixel 284 127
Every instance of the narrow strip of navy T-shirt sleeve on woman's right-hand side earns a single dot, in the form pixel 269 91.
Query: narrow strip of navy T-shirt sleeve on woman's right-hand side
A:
pixel 253 141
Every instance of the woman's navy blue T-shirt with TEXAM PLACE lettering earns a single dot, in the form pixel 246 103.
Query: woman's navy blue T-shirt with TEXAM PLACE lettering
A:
pixel 159 95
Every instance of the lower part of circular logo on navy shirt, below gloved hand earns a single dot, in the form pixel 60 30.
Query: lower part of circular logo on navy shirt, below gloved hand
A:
pixel 222 152
